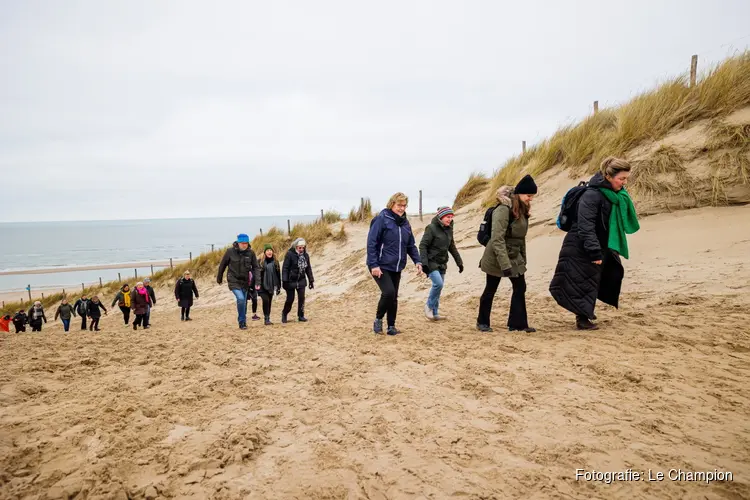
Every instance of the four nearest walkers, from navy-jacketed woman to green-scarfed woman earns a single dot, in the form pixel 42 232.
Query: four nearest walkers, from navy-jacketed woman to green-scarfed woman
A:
pixel 597 216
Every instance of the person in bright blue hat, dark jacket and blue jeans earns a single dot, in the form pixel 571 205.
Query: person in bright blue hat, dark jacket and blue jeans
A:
pixel 242 266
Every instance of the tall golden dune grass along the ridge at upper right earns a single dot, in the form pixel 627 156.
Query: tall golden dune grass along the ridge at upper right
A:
pixel 648 117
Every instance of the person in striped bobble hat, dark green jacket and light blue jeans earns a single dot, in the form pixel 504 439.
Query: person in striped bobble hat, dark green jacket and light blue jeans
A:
pixel 437 241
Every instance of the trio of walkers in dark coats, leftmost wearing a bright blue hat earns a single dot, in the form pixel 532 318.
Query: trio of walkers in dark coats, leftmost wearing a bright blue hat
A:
pixel 247 278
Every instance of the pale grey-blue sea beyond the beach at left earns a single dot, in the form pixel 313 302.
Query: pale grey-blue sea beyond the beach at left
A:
pixel 65 245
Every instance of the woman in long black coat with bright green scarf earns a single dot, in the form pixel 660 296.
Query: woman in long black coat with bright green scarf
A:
pixel 589 265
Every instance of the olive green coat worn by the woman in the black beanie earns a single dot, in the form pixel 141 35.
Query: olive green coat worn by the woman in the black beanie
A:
pixel 506 251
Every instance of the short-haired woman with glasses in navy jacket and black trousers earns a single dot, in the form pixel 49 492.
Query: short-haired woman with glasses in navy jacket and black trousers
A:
pixel 389 242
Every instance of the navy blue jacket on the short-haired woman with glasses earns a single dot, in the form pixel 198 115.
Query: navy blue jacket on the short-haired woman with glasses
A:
pixel 388 244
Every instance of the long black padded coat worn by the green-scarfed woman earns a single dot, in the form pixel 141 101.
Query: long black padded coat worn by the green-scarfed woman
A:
pixel 577 281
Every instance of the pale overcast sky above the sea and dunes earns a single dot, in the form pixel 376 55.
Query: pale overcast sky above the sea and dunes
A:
pixel 148 109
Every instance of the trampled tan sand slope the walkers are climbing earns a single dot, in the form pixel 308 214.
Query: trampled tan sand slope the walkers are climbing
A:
pixel 328 410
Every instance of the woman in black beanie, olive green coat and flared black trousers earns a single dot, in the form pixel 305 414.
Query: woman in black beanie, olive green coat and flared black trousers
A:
pixel 505 254
